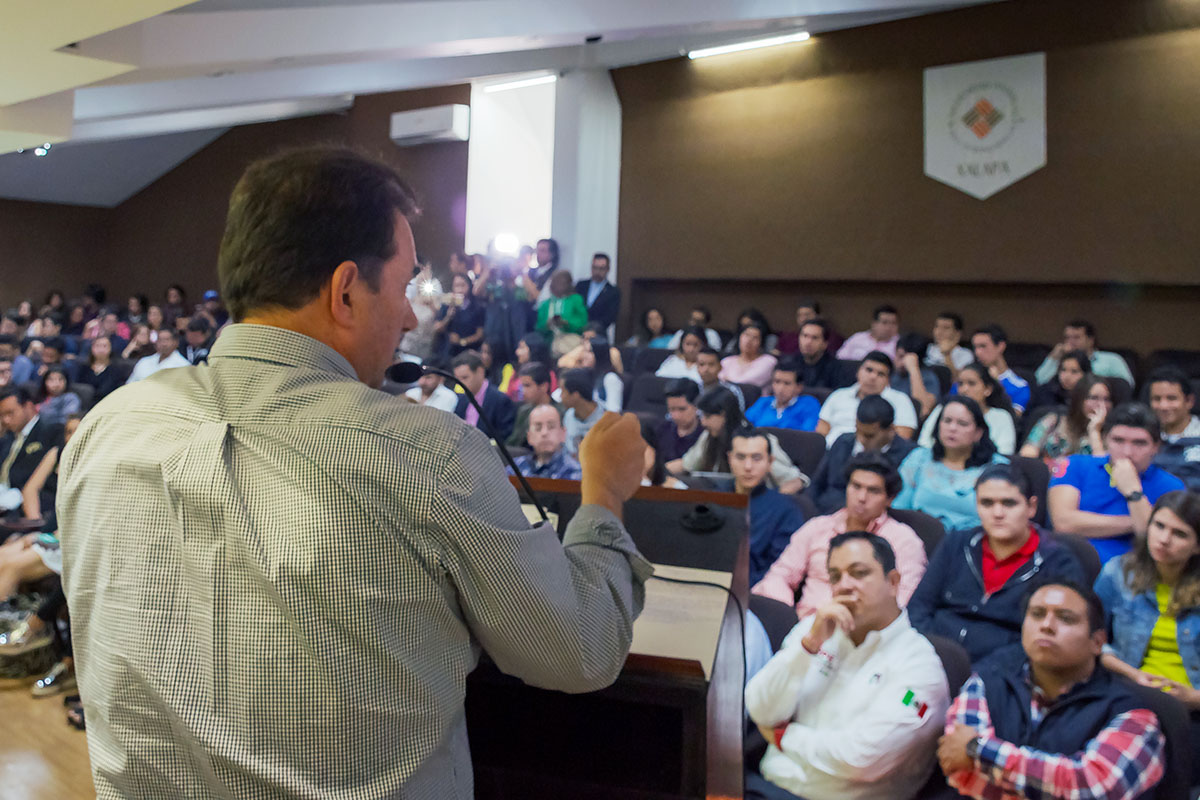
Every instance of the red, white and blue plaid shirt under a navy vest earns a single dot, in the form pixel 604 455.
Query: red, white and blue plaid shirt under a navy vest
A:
pixel 1124 761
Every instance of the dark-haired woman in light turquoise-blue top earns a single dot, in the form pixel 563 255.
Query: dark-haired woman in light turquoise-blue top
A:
pixel 940 480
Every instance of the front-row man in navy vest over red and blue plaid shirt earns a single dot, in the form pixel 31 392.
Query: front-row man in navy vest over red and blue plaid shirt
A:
pixel 1047 720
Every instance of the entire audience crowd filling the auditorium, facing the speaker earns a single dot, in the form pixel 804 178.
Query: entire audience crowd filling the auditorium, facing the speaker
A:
pixel 944 429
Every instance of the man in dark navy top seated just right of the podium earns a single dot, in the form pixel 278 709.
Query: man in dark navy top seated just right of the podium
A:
pixel 773 518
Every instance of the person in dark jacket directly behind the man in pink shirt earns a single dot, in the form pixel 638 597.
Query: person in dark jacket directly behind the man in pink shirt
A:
pixel 874 434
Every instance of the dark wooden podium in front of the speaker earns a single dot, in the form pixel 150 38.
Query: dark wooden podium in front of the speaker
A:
pixel 664 731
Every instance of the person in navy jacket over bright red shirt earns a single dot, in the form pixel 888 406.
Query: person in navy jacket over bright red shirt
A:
pixel 977 580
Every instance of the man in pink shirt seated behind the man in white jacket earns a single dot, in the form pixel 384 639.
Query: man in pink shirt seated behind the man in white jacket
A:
pixel 873 483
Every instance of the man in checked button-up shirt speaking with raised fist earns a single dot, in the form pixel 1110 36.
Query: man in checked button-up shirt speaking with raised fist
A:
pixel 280 578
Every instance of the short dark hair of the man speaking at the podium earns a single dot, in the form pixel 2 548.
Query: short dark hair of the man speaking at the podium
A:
pixel 295 218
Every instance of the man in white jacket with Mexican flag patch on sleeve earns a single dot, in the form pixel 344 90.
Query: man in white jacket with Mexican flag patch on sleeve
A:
pixel 854 702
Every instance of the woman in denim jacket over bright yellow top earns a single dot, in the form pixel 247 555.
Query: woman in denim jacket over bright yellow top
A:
pixel 1153 599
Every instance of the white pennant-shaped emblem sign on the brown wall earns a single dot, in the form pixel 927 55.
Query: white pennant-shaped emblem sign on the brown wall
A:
pixel 986 123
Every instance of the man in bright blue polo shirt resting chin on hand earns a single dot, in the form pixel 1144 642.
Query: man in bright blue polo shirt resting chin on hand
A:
pixel 1109 498
